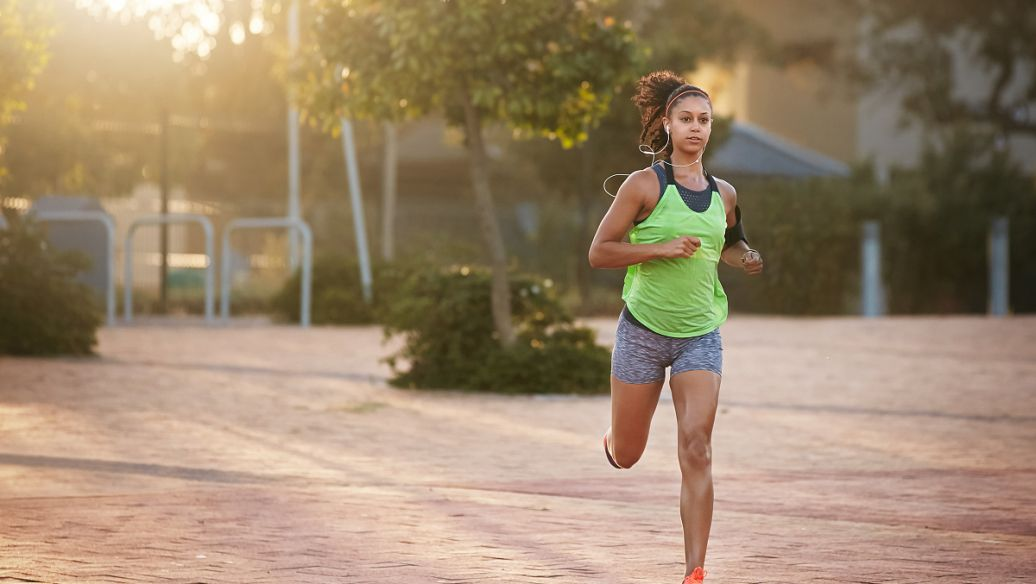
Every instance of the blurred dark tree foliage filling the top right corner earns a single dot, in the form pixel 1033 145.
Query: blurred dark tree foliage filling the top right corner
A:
pixel 915 46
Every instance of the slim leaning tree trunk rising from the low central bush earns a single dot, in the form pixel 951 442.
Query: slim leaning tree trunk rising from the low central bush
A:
pixel 491 230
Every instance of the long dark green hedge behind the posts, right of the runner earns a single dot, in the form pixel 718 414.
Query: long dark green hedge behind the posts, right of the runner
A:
pixel 935 224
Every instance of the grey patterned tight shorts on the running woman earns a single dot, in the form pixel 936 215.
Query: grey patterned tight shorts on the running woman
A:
pixel 642 356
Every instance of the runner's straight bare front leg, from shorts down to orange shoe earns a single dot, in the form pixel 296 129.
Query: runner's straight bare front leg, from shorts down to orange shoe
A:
pixel 696 395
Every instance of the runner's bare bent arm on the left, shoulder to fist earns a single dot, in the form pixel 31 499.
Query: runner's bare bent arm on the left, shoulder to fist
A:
pixel 610 251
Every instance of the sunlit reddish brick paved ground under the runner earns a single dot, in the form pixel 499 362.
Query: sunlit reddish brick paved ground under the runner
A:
pixel 846 451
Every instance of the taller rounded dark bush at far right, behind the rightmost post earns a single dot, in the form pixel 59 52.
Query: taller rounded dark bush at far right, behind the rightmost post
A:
pixel 936 225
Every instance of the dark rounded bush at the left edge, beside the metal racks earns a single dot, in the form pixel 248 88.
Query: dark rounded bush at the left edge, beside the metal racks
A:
pixel 44 310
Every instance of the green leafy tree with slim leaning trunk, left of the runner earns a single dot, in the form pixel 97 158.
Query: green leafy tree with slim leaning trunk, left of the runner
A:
pixel 538 67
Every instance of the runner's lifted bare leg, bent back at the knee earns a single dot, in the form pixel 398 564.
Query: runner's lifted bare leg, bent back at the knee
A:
pixel 632 408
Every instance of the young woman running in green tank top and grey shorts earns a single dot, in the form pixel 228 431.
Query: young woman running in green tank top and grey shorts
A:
pixel 681 222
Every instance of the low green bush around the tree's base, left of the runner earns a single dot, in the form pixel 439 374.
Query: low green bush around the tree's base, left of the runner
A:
pixel 450 342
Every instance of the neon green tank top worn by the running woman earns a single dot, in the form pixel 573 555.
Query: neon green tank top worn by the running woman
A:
pixel 679 297
